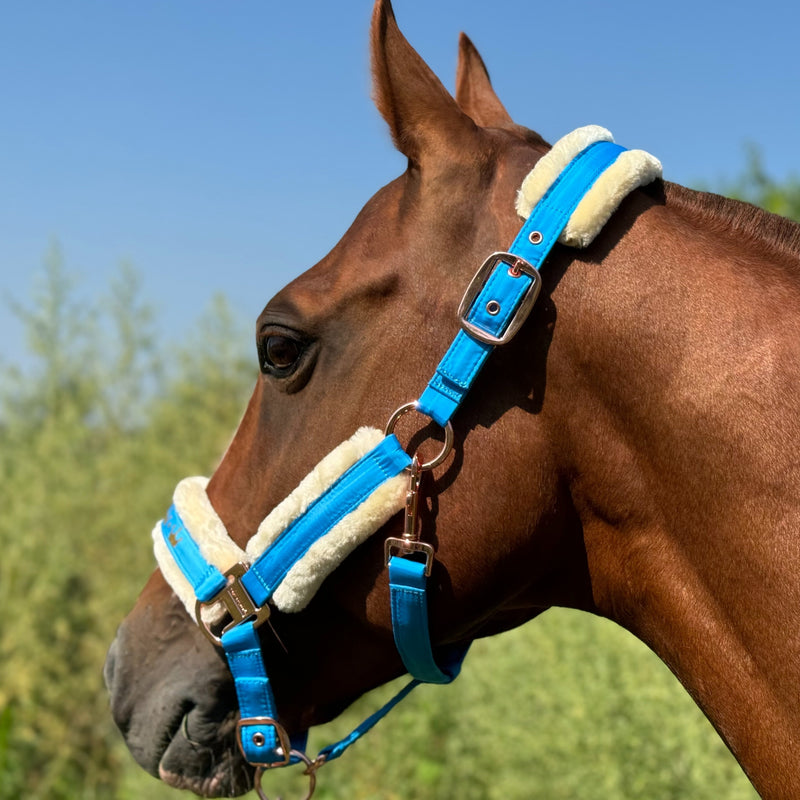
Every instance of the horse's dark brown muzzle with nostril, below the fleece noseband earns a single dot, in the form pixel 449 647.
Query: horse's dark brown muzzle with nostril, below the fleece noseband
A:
pixel 174 701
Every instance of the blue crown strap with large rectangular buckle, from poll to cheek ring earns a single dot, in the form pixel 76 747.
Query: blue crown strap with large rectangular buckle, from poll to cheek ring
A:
pixel 462 362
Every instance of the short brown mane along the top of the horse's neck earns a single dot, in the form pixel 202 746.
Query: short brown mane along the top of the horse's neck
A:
pixel 735 216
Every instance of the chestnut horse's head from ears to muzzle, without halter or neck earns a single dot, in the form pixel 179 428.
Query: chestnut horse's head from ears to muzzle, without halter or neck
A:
pixel 339 347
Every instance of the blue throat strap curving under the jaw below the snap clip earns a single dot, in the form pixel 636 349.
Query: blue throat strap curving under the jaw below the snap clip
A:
pixel 409 601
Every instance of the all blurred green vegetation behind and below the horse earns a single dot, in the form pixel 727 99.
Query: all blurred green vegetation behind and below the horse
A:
pixel 97 424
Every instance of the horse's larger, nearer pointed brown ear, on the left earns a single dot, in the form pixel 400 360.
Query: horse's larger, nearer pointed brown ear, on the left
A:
pixel 422 115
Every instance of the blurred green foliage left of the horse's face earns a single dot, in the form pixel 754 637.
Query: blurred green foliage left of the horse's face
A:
pixel 93 435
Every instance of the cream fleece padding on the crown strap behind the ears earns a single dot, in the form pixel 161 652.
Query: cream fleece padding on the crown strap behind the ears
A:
pixel 632 169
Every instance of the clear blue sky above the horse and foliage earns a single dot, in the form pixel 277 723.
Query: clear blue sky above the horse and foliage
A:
pixel 226 145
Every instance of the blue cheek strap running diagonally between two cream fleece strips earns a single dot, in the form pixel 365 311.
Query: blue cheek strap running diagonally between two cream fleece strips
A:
pixel 384 461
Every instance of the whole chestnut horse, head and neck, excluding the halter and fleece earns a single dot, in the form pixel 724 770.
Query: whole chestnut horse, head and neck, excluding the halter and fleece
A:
pixel 632 452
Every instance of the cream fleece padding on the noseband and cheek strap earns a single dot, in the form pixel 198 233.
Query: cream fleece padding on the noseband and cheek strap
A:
pixel 306 576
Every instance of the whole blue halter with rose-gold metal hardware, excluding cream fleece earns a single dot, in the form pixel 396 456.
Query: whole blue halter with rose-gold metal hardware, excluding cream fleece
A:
pixel 494 307
